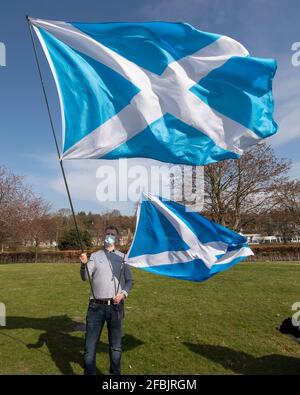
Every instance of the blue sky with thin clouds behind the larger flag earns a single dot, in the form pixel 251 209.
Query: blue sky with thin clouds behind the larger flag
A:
pixel 267 28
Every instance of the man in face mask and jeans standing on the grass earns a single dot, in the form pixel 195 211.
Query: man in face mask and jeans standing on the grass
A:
pixel 111 283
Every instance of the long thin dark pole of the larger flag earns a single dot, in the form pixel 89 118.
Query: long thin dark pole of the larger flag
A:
pixel 57 149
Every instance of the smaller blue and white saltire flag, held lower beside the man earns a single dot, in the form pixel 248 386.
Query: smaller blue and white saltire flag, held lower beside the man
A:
pixel 173 241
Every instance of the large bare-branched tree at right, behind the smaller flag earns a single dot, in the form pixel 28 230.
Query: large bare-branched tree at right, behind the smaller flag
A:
pixel 238 188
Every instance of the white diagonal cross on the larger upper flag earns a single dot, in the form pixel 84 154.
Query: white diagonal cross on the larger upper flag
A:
pixel 159 94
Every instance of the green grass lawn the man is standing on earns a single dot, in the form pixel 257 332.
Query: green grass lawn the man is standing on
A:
pixel 223 326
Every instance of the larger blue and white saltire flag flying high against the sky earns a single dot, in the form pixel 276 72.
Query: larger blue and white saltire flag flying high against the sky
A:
pixel 158 90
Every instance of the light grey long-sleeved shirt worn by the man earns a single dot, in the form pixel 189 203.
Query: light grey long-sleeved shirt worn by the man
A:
pixel 104 269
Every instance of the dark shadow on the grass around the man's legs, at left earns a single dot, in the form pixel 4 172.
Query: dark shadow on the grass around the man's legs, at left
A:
pixel 63 347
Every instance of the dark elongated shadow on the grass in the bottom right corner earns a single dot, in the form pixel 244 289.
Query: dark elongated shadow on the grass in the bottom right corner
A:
pixel 243 363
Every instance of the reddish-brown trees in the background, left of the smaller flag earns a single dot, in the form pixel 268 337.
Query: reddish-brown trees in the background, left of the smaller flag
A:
pixel 27 220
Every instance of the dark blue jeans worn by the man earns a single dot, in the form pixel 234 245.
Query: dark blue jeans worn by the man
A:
pixel 97 315
